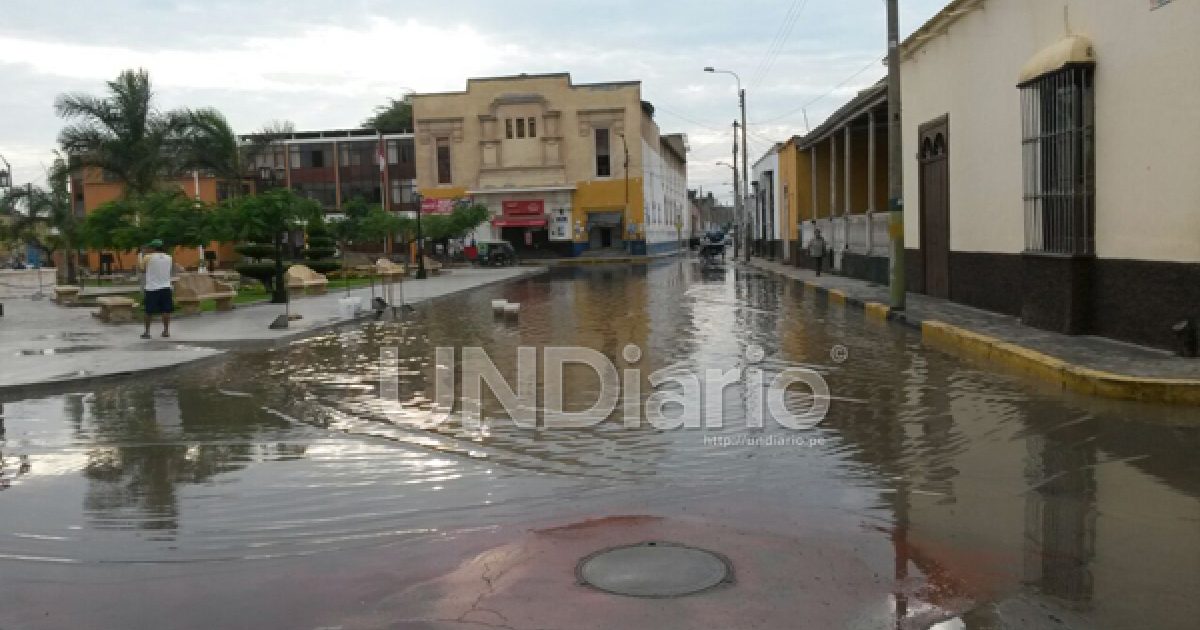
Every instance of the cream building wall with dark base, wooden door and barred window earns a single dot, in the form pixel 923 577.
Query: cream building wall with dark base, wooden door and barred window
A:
pixel 1051 163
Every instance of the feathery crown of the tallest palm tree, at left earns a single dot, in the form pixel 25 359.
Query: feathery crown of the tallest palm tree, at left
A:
pixel 123 133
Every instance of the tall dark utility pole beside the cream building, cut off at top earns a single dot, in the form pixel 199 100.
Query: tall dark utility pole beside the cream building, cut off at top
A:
pixel 896 161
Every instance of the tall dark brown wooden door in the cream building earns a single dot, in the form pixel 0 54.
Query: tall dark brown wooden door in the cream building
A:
pixel 935 206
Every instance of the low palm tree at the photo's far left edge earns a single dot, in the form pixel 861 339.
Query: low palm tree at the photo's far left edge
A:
pixel 44 218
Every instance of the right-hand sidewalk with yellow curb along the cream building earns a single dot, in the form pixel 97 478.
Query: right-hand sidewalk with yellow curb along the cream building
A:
pixel 1089 365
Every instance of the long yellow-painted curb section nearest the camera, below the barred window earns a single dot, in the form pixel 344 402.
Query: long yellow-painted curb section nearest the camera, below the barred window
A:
pixel 970 345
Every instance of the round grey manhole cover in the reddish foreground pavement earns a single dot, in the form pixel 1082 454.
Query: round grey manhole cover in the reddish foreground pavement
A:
pixel 655 571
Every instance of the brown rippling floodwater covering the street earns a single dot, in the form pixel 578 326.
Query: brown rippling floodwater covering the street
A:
pixel 275 489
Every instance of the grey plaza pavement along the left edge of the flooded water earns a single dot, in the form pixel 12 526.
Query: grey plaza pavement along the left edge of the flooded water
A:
pixel 46 345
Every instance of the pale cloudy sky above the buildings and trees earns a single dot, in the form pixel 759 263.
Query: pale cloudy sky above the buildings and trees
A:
pixel 327 64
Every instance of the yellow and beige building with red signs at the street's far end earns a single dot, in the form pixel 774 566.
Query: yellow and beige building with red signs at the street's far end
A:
pixel 567 170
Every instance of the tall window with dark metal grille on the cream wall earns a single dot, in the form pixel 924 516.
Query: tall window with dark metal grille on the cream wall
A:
pixel 1058 115
